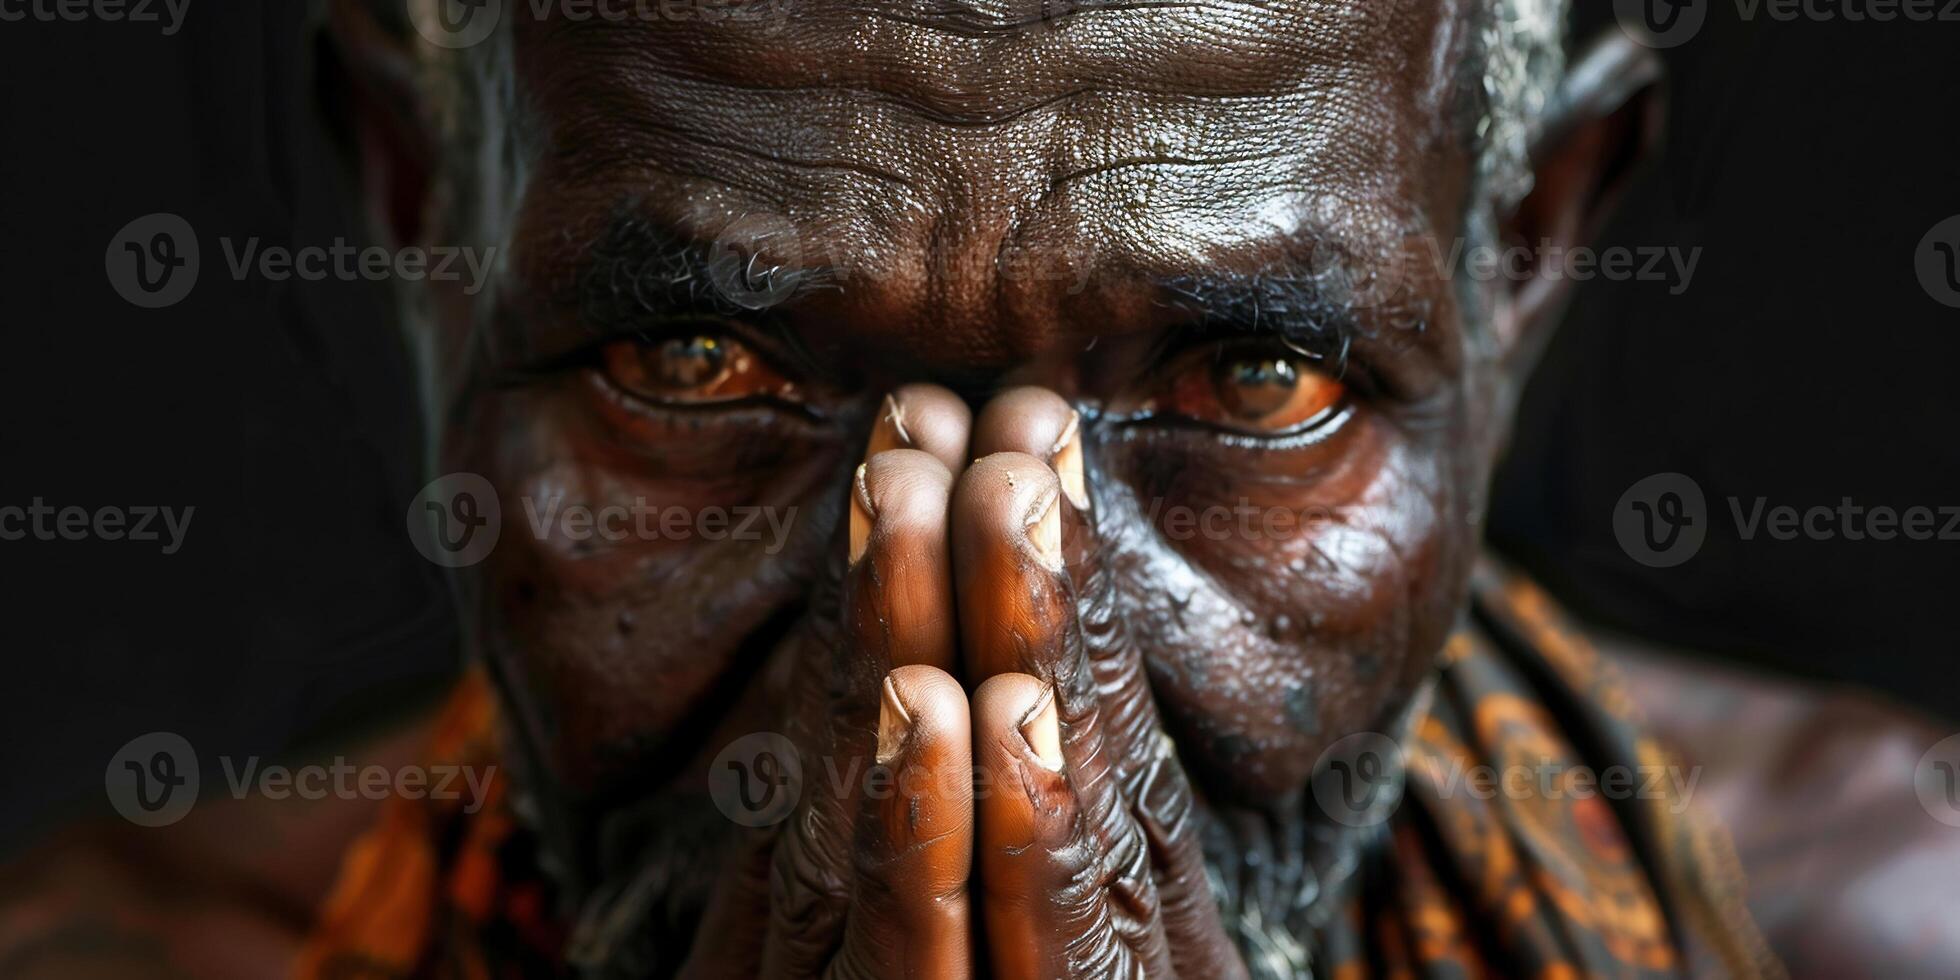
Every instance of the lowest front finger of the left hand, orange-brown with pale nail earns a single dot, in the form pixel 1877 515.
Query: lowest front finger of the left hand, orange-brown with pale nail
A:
pixel 914 840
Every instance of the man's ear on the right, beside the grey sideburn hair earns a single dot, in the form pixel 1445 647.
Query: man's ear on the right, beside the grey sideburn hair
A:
pixel 1604 122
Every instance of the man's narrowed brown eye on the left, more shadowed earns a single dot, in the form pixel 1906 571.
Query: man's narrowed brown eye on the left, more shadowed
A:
pixel 693 369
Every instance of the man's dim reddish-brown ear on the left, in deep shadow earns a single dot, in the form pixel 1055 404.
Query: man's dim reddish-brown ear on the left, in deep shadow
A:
pixel 369 83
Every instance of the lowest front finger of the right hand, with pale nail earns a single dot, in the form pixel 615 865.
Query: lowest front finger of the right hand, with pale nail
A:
pixel 1046 887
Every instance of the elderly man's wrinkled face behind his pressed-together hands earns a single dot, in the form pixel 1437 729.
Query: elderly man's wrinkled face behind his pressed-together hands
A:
pixel 1208 228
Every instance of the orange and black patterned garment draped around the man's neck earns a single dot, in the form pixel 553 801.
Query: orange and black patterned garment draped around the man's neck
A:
pixel 1538 881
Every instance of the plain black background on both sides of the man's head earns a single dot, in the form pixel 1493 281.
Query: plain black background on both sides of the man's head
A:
pixel 1804 366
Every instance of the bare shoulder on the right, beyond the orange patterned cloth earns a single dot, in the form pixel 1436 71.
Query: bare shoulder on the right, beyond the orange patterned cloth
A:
pixel 1851 869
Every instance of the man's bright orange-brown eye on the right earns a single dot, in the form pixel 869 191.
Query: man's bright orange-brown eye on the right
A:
pixel 1253 389
